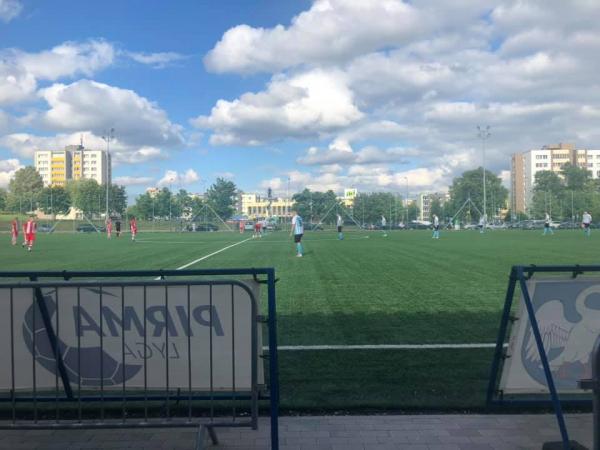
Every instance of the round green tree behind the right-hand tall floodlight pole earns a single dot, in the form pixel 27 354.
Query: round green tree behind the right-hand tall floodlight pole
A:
pixel 470 185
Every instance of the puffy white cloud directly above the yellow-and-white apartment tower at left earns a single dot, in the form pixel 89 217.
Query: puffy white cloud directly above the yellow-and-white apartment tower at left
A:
pixel 94 106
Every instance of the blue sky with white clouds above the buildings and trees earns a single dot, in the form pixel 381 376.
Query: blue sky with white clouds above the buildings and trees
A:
pixel 378 95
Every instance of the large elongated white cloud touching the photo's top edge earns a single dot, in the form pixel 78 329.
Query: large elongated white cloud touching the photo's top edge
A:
pixel 331 30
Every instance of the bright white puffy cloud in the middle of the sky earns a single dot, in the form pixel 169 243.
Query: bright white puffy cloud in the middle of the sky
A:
pixel 303 106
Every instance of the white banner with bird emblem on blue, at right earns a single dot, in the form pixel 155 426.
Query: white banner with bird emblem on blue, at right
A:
pixel 568 315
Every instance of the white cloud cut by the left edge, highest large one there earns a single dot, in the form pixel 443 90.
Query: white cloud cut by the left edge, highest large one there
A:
pixel 20 71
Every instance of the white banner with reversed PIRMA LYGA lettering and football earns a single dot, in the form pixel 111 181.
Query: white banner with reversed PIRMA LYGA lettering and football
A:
pixel 101 337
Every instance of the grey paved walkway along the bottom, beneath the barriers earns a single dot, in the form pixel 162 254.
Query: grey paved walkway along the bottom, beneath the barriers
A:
pixel 426 432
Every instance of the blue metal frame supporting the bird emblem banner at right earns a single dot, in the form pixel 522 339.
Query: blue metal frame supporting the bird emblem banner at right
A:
pixel 520 274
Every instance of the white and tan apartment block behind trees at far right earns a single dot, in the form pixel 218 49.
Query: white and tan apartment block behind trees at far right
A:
pixel 552 158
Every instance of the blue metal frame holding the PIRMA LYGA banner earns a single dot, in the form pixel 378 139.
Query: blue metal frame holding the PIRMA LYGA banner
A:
pixel 273 397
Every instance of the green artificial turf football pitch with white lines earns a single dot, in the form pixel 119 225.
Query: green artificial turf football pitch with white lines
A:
pixel 402 289
